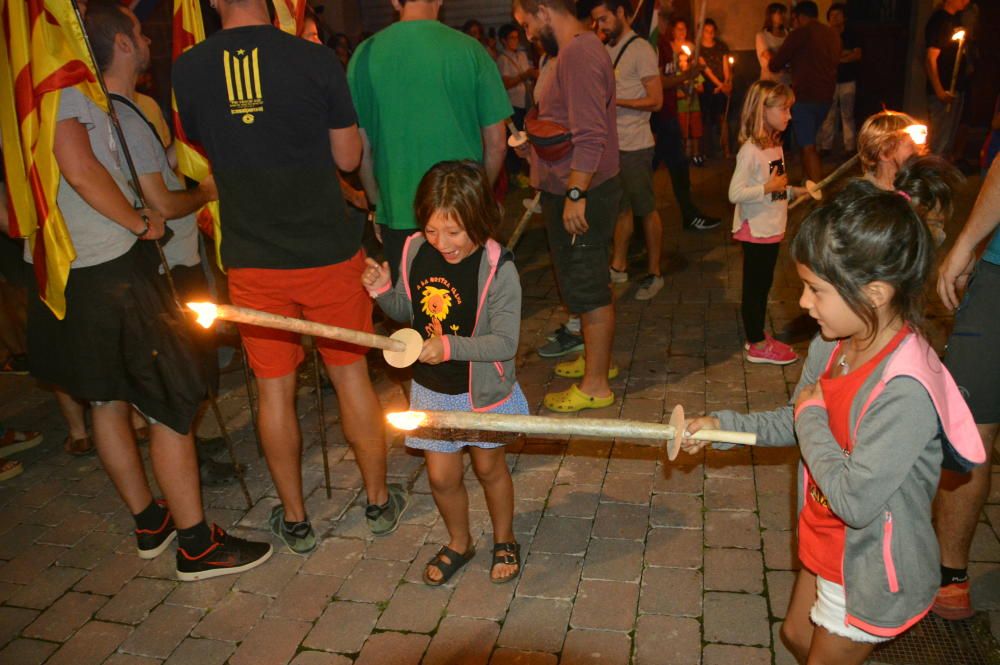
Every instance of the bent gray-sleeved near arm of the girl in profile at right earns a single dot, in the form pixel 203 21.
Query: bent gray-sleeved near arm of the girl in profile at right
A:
pixel 891 439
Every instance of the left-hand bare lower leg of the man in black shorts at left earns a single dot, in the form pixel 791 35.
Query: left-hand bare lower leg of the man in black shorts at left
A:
pixel 116 448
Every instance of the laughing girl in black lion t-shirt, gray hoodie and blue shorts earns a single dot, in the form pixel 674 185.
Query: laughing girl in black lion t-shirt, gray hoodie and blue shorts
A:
pixel 460 289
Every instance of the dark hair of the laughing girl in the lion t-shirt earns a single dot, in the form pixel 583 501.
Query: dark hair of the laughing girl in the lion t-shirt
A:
pixel 460 190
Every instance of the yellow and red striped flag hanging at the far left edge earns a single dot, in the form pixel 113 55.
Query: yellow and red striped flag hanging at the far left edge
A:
pixel 42 52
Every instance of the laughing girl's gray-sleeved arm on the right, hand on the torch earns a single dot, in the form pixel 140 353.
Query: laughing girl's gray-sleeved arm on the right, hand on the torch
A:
pixel 503 307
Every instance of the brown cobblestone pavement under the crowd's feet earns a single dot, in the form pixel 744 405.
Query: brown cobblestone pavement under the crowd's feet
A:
pixel 627 558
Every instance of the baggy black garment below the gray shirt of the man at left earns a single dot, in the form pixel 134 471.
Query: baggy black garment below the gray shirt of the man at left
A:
pixel 123 339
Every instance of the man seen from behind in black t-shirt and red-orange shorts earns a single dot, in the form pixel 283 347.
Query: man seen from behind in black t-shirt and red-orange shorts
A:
pixel 274 115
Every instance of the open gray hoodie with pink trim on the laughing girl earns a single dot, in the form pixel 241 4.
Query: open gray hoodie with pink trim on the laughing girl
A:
pixel 493 345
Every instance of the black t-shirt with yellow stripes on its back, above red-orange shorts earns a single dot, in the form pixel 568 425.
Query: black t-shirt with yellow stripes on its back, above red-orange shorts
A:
pixel 261 103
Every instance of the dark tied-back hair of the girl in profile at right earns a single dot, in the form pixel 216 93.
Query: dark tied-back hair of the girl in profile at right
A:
pixel 864 235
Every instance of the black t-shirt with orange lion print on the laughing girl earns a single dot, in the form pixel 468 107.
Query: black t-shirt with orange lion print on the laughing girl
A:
pixel 445 297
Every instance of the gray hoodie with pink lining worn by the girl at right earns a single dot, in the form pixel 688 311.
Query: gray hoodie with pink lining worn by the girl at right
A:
pixel 883 490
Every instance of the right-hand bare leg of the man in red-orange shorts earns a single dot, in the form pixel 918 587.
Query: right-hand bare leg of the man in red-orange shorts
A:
pixel 361 417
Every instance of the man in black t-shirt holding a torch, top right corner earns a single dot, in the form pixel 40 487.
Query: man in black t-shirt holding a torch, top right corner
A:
pixel 944 108
